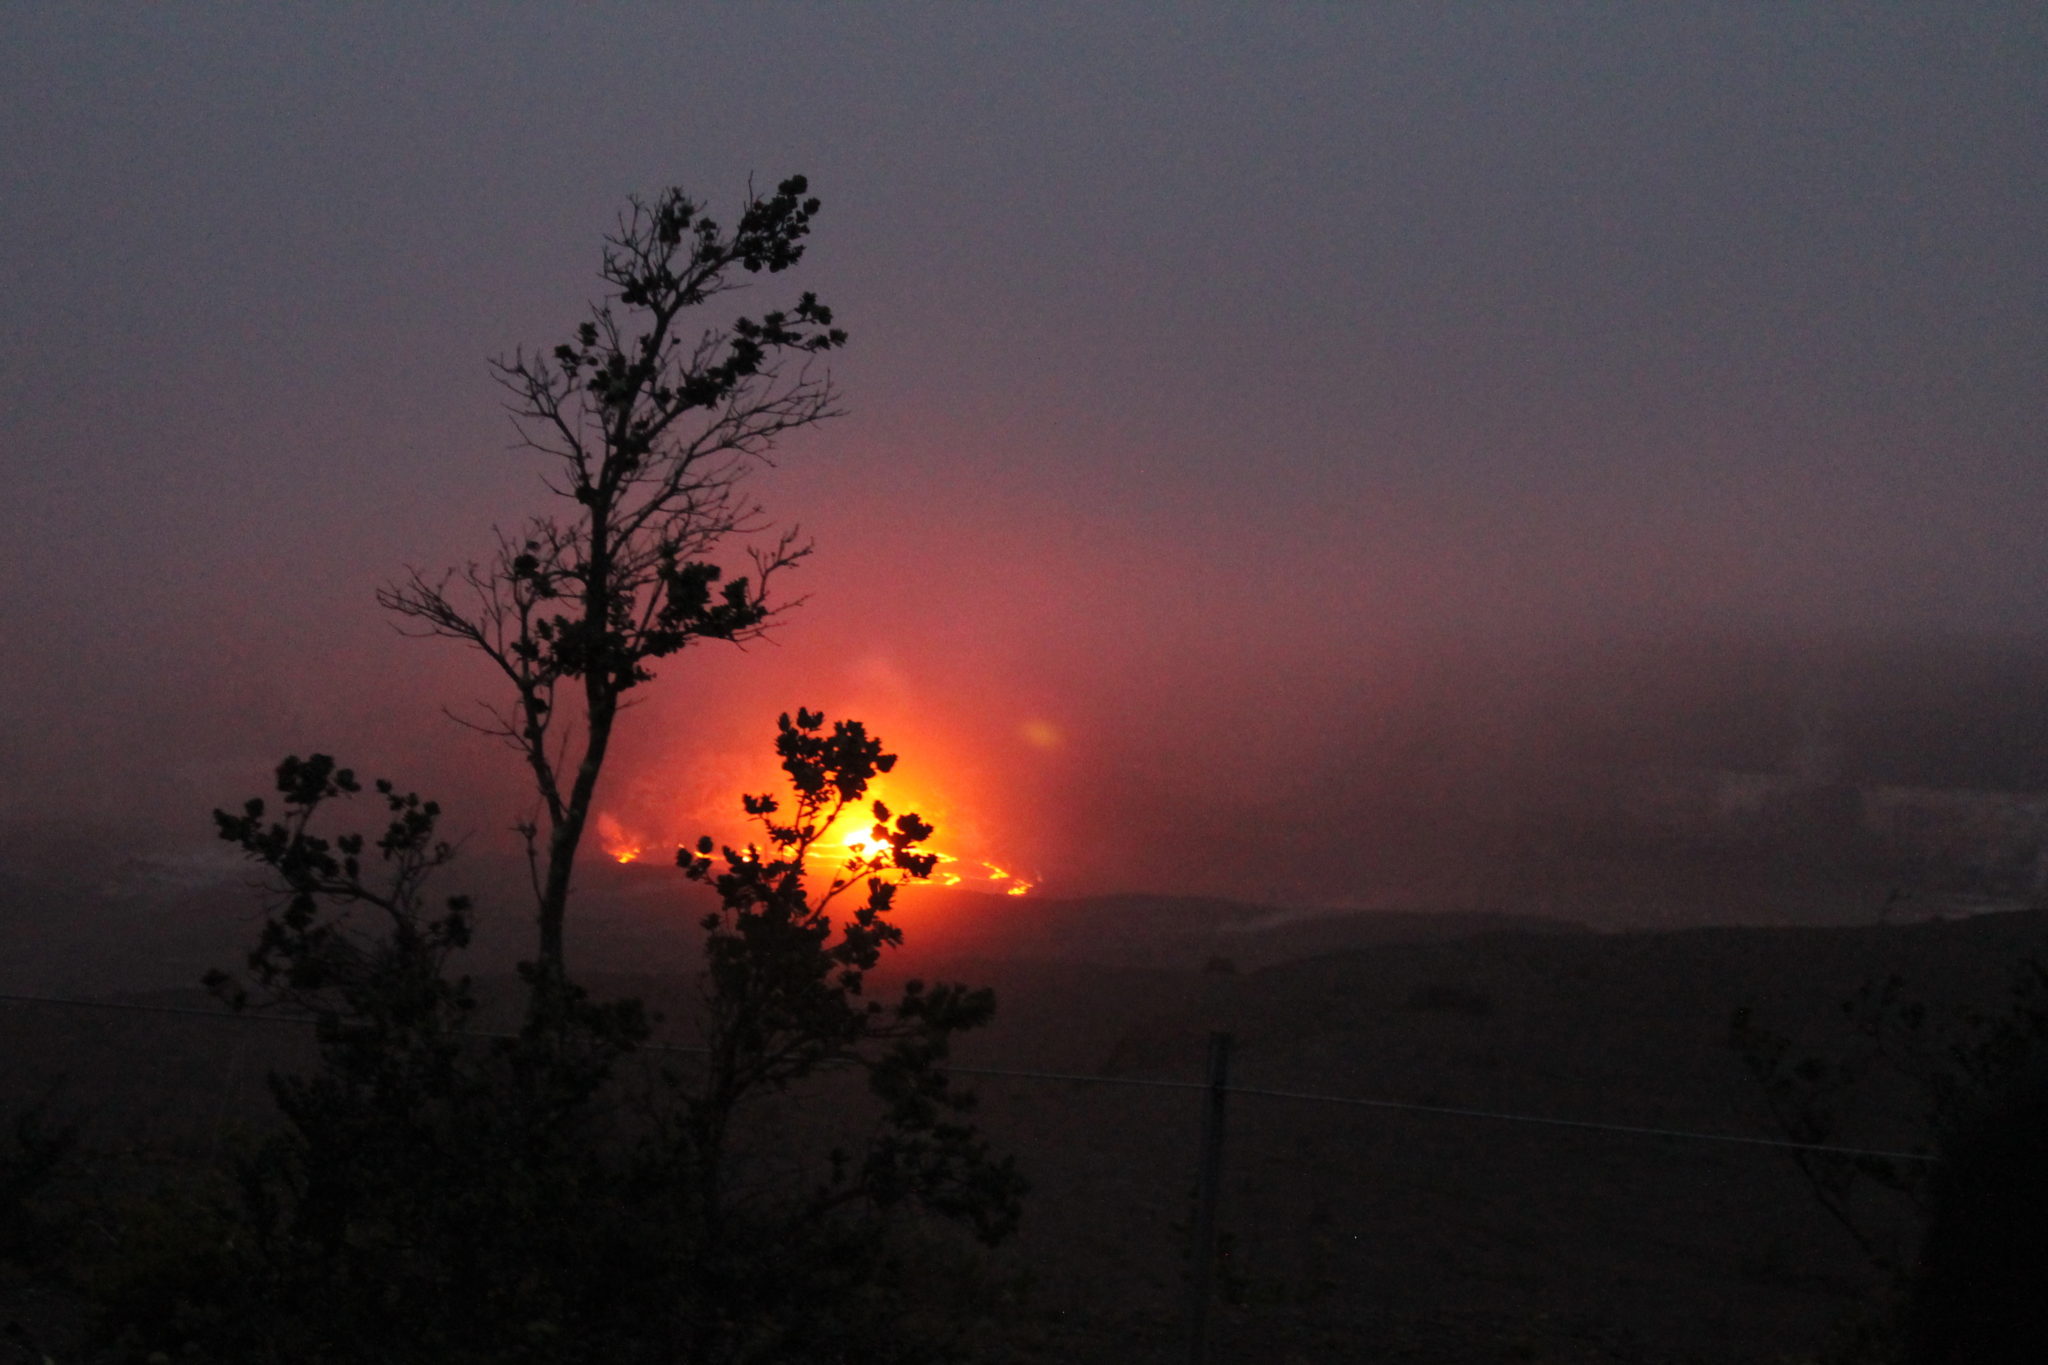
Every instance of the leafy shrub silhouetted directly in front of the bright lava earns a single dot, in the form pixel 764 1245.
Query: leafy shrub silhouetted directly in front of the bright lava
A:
pixel 787 992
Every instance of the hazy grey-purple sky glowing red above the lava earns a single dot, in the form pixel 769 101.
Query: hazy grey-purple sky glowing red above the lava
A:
pixel 1258 416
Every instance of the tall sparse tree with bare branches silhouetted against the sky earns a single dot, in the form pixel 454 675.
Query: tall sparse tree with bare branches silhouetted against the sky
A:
pixel 650 427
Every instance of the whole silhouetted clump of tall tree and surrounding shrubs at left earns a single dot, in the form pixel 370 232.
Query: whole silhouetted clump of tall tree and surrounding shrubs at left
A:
pixel 564 1192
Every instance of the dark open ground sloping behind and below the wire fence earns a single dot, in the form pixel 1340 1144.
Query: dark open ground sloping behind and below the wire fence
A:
pixel 1353 1233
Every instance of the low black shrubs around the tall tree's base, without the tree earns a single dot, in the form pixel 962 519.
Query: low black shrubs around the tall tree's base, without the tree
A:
pixel 441 1194
